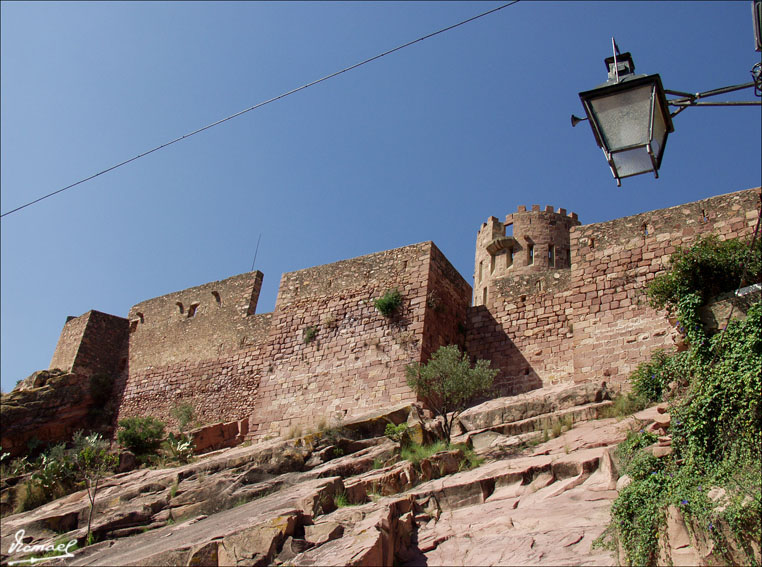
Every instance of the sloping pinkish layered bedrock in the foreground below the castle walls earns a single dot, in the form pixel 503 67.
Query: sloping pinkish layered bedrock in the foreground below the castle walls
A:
pixel 532 502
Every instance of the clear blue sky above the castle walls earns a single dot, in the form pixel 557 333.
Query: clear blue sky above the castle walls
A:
pixel 424 144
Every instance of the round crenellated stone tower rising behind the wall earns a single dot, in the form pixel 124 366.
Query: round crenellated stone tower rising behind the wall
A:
pixel 528 241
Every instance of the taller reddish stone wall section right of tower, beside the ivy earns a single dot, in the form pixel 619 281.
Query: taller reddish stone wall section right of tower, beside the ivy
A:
pixel 614 327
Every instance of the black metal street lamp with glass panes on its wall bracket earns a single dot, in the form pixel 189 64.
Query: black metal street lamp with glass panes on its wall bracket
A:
pixel 630 118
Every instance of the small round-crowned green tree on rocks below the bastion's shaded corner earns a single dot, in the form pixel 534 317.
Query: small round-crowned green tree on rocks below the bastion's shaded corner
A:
pixel 447 382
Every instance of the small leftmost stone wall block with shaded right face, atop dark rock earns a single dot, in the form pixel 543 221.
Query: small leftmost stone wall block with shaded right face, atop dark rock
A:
pixel 93 343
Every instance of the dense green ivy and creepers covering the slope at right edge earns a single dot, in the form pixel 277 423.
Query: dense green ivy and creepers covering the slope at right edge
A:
pixel 713 476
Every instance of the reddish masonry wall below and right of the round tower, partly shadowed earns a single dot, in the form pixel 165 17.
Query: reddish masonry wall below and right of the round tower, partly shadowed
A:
pixel 593 321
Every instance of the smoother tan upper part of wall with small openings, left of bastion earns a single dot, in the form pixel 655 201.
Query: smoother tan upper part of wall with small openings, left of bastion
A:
pixel 196 324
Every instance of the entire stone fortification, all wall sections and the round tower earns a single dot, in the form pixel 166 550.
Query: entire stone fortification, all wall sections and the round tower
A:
pixel 553 301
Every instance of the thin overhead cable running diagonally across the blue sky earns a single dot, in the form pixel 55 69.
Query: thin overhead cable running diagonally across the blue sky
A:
pixel 258 105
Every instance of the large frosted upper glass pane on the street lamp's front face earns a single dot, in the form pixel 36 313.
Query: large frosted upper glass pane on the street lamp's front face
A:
pixel 623 117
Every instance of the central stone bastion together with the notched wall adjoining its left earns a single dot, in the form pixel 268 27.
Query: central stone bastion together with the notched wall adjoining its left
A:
pixel 354 364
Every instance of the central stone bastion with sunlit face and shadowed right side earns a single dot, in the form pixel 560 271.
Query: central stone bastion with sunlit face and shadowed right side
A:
pixel 356 360
